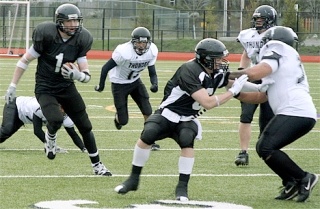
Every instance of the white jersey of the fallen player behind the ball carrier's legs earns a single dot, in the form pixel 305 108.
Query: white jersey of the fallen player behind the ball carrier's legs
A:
pixel 27 106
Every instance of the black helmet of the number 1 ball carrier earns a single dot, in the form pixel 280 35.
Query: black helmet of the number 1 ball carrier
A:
pixel 68 12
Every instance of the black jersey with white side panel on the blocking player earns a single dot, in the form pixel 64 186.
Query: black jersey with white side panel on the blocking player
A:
pixel 189 78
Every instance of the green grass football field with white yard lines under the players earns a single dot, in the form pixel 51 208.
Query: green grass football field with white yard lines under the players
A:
pixel 27 177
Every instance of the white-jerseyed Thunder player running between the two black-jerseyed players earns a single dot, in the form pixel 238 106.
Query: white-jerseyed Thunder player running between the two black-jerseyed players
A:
pixel 127 62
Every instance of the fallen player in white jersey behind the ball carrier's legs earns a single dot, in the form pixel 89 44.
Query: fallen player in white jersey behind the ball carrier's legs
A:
pixel 26 110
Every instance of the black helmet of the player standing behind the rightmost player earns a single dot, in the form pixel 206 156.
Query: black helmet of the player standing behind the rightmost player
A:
pixel 268 13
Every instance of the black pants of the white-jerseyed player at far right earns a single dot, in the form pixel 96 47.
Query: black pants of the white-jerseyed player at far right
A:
pixel 280 132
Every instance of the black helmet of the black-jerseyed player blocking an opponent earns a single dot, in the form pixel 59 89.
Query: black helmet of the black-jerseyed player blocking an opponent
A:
pixel 210 49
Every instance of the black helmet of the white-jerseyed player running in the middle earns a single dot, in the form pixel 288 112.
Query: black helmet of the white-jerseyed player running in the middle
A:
pixel 141 35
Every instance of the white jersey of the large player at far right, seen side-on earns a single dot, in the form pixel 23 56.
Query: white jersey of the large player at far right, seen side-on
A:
pixel 289 94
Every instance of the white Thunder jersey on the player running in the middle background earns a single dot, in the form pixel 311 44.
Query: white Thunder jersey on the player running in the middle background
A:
pixel 130 64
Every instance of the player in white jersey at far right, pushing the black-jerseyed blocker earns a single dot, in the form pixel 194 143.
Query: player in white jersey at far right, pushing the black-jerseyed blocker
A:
pixel 291 102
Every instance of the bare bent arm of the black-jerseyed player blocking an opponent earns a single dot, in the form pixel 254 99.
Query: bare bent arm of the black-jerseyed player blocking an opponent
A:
pixel 209 102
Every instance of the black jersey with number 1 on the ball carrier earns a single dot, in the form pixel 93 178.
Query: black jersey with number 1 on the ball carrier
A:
pixel 54 52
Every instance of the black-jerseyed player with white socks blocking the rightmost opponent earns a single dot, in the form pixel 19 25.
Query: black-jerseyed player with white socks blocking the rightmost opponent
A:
pixel 186 96
